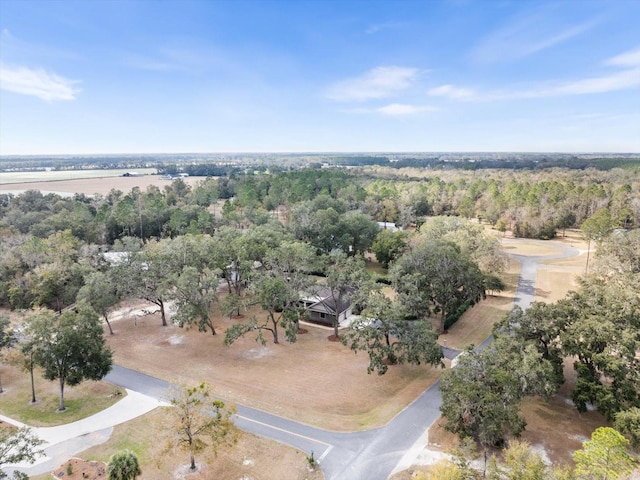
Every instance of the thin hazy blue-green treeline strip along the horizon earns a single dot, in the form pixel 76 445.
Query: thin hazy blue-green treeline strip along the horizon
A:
pixel 216 165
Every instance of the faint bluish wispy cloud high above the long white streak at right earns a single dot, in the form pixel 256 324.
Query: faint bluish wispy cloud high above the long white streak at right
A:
pixel 525 36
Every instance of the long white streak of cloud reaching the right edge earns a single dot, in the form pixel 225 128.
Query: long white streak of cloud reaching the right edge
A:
pixel 622 79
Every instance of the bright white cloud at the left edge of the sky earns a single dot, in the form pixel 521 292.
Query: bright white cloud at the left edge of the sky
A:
pixel 37 83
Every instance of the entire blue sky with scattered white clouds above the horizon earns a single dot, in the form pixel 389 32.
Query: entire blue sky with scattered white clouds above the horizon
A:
pixel 319 76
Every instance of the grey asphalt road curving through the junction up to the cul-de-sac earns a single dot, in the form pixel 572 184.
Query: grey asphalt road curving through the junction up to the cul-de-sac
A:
pixel 368 455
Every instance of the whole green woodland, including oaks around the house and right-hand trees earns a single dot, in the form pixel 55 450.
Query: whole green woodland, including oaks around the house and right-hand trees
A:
pixel 269 235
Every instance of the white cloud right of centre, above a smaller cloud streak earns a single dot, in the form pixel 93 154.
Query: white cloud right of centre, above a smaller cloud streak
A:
pixel 380 82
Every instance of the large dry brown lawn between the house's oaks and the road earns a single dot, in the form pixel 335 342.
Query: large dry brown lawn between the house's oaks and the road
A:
pixel 313 380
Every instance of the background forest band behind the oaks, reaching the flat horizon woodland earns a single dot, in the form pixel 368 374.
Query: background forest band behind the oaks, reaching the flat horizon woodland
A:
pixel 325 207
